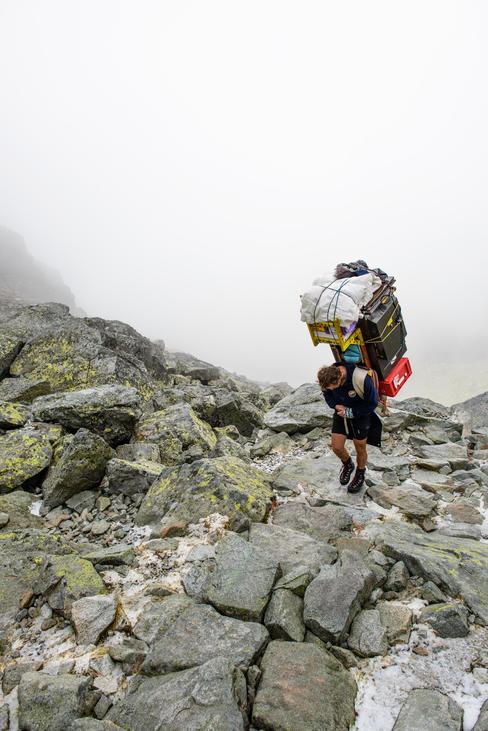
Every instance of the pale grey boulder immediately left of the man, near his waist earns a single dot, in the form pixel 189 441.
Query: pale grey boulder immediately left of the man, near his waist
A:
pixel 302 411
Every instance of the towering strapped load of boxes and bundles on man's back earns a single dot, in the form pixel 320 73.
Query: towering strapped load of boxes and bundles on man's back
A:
pixel 357 313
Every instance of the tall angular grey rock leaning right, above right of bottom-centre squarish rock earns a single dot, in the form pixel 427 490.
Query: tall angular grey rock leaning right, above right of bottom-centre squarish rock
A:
pixel 335 596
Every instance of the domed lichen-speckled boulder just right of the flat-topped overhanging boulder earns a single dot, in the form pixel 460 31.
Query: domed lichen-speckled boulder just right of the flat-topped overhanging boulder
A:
pixel 176 430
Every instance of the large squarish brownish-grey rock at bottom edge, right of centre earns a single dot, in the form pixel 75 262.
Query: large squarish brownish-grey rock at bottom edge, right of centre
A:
pixel 303 687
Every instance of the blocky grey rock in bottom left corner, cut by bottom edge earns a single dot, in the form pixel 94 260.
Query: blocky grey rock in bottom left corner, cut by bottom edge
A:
pixel 52 703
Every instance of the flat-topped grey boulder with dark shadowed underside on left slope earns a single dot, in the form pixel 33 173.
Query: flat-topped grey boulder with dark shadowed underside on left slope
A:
pixel 109 410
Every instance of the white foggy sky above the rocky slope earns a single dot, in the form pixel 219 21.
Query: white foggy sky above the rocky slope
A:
pixel 191 167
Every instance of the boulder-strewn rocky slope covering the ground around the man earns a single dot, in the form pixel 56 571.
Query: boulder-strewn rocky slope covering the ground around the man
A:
pixel 177 552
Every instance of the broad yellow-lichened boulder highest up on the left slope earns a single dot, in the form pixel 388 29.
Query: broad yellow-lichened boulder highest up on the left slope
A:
pixel 72 357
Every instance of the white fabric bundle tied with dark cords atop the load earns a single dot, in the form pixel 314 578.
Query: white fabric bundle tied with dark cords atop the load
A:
pixel 338 299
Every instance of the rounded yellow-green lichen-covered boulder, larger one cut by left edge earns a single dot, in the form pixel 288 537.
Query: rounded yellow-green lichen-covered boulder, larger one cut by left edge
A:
pixel 24 453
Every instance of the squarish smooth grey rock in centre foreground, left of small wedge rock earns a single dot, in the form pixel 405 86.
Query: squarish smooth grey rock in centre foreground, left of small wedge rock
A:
pixel 241 583
